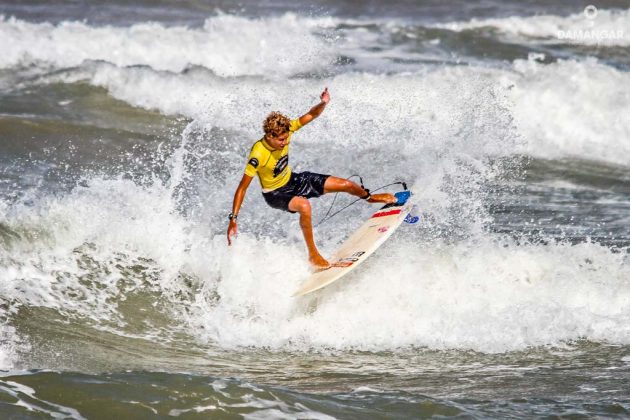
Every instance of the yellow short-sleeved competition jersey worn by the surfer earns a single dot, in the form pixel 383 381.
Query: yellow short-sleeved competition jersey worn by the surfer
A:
pixel 272 166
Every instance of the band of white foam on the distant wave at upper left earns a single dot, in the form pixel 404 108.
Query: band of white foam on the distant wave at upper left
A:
pixel 227 45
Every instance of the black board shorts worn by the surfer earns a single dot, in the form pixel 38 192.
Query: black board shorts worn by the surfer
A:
pixel 303 184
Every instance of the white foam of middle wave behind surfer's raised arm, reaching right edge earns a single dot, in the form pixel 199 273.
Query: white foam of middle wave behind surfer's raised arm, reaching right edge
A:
pixel 563 109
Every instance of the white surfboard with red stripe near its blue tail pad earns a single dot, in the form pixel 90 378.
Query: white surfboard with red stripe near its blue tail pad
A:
pixel 371 235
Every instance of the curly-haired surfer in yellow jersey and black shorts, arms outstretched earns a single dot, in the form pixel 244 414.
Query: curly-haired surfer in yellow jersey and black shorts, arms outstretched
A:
pixel 286 190
